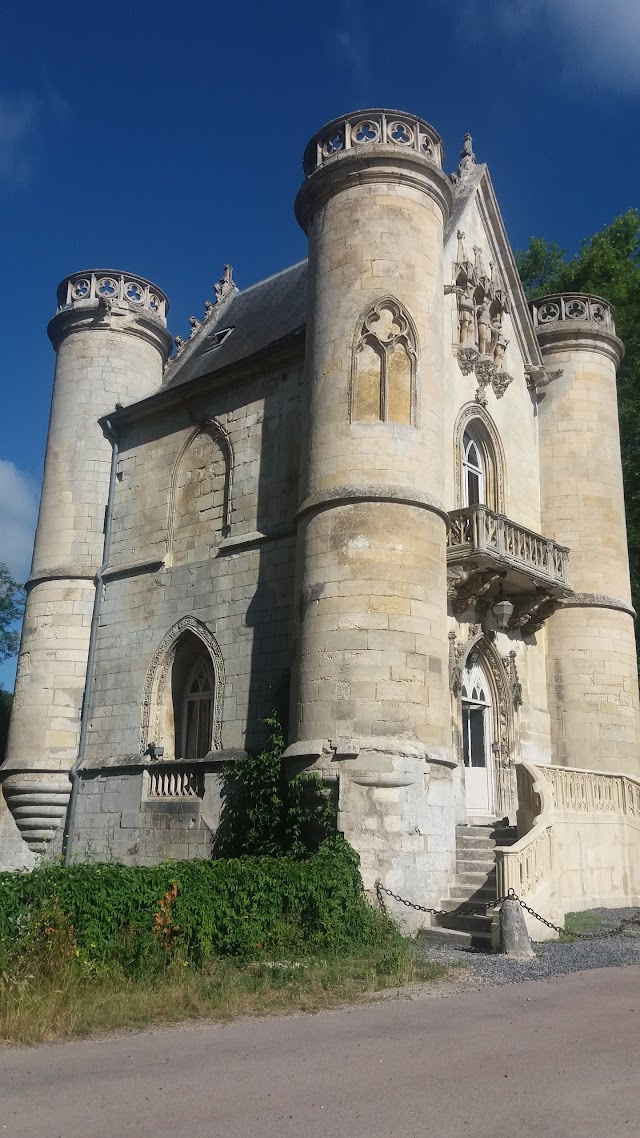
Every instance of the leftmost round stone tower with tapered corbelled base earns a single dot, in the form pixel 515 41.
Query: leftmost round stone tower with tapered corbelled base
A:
pixel 111 339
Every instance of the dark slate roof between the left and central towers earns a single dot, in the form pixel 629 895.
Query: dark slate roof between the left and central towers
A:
pixel 261 316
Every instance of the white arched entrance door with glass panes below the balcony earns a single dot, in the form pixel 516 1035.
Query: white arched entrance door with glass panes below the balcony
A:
pixel 478 739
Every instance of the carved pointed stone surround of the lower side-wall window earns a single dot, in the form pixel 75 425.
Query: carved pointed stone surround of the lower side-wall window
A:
pixel 159 724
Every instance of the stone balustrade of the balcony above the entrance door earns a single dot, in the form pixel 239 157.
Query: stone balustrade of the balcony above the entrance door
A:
pixel 480 531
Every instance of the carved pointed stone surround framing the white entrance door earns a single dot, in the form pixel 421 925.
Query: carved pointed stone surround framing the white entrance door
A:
pixel 504 710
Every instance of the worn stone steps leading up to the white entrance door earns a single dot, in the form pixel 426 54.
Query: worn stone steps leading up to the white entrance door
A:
pixel 474 885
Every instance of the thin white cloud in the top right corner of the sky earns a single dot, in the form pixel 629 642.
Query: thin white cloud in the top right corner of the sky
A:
pixel 585 40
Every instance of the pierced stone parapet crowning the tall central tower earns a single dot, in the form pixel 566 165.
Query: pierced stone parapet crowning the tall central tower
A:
pixel 393 128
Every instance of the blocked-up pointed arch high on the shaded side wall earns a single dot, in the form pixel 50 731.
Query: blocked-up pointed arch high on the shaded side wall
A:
pixel 206 488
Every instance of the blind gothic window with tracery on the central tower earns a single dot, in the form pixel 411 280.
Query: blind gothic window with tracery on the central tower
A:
pixel 384 366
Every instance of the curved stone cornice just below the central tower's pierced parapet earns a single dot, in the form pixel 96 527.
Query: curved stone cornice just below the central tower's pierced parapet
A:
pixel 376 163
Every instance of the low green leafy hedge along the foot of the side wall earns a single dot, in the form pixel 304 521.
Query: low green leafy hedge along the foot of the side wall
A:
pixel 141 918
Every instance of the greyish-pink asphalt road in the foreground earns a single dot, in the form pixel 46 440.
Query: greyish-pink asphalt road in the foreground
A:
pixel 556 1058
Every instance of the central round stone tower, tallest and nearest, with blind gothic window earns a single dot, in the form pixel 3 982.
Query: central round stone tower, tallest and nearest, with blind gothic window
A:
pixel 371 694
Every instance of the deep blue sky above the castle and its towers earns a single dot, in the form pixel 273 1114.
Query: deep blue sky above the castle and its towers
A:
pixel 168 139
